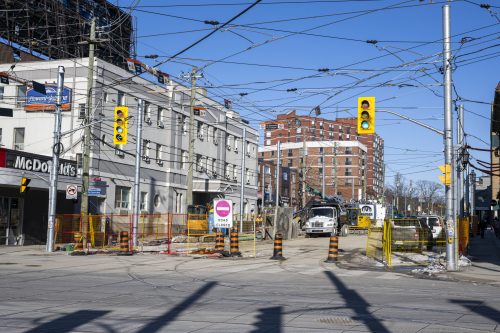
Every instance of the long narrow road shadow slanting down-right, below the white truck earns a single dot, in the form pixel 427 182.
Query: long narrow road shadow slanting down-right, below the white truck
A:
pixel 353 300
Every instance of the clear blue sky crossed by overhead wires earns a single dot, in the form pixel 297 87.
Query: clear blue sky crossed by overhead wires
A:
pixel 401 70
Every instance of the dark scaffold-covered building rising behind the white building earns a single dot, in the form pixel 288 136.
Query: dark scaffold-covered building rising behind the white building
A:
pixel 58 29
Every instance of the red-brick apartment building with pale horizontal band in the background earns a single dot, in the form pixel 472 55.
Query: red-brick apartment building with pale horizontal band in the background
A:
pixel 355 163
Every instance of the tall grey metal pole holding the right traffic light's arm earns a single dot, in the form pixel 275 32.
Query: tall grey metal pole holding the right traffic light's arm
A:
pixel 451 264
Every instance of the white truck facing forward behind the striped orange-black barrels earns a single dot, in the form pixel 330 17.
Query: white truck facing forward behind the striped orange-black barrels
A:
pixel 322 220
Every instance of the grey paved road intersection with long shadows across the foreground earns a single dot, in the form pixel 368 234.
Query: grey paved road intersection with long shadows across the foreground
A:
pixel 157 293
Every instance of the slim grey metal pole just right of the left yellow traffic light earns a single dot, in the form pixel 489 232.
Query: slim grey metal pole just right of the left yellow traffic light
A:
pixel 137 178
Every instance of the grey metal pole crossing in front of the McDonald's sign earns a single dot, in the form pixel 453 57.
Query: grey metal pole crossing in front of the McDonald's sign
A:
pixel 56 150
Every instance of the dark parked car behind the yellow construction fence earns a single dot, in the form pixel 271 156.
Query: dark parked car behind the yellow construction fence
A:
pixel 411 234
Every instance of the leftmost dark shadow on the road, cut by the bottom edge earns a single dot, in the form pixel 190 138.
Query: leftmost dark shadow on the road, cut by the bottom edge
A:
pixel 68 322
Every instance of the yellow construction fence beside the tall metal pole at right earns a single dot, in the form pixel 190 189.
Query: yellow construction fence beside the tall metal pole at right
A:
pixel 404 242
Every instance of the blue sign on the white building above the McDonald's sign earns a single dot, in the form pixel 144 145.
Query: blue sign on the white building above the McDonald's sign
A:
pixel 36 101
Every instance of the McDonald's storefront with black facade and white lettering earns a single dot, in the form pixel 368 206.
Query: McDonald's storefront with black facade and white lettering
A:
pixel 23 216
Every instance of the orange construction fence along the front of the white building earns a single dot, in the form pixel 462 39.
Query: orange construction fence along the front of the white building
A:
pixel 170 233
